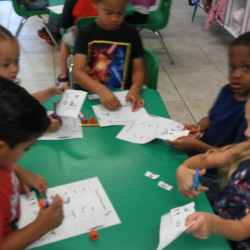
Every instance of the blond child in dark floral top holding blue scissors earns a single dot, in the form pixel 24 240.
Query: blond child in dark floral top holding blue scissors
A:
pixel 232 206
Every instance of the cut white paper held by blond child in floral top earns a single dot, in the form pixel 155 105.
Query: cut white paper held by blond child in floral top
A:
pixel 173 224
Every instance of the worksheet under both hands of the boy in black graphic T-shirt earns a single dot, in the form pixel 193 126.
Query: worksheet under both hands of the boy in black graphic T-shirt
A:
pixel 120 116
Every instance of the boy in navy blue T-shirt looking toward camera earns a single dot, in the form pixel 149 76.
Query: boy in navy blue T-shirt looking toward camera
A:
pixel 226 122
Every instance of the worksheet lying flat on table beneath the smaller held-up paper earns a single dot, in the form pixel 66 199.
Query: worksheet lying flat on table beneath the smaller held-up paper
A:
pixel 70 129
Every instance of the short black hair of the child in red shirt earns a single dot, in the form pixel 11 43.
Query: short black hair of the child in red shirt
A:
pixel 22 117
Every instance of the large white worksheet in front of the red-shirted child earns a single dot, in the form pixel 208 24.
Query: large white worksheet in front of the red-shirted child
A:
pixel 88 208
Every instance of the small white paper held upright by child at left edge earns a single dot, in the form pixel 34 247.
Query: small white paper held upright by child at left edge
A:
pixel 71 103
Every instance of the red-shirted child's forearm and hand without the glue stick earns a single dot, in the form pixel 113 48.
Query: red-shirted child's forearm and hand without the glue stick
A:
pixel 28 179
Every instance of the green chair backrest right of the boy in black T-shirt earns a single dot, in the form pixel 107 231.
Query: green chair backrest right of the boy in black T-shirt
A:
pixel 151 65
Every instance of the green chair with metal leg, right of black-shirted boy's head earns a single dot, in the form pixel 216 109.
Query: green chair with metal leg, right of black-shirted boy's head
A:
pixel 158 20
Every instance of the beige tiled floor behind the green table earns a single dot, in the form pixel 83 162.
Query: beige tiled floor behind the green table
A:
pixel 188 88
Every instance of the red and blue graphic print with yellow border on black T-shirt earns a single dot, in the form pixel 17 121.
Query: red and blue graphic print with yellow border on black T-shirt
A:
pixel 108 62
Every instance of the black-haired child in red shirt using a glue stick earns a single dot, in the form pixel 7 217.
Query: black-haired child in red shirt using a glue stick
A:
pixel 22 121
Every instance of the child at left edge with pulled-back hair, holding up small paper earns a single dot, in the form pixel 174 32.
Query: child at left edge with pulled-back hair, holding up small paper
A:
pixel 9 67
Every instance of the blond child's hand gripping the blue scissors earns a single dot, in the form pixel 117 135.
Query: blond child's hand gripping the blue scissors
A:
pixel 185 178
